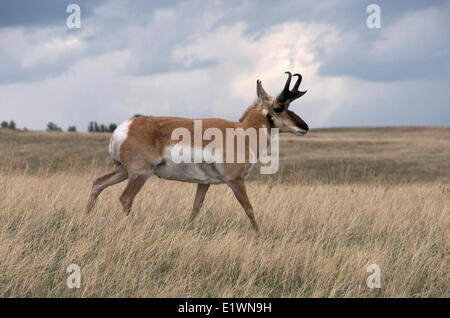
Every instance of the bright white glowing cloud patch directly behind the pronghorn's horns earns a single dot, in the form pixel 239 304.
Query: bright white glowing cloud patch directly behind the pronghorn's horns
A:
pixel 243 58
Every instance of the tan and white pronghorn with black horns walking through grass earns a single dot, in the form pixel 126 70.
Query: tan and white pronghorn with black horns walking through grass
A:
pixel 140 148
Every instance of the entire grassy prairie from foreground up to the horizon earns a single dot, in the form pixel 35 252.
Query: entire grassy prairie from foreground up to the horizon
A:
pixel 343 199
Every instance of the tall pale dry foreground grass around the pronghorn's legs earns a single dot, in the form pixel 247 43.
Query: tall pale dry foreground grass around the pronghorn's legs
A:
pixel 316 240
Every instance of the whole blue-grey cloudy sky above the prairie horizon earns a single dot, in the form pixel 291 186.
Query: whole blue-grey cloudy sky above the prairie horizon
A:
pixel 199 58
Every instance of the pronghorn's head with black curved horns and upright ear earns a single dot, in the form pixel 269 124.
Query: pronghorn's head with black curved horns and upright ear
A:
pixel 276 109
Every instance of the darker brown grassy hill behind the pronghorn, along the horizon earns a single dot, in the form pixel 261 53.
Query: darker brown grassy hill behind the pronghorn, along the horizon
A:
pixel 391 154
